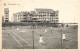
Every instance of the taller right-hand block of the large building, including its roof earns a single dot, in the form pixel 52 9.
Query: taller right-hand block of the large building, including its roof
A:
pixel 48 15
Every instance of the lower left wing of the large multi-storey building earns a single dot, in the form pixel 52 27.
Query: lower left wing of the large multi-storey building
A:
pixel 23 16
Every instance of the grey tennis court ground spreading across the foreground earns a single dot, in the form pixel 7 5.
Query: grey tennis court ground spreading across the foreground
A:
pixel 23 39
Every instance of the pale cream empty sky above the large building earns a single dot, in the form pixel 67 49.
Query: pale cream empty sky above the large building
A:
pixel 68 10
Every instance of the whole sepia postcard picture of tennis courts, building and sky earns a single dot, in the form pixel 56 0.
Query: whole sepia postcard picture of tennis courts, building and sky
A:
pixel 35 24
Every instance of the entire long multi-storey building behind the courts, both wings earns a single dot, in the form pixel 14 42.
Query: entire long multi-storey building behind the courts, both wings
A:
pixel 38 15
